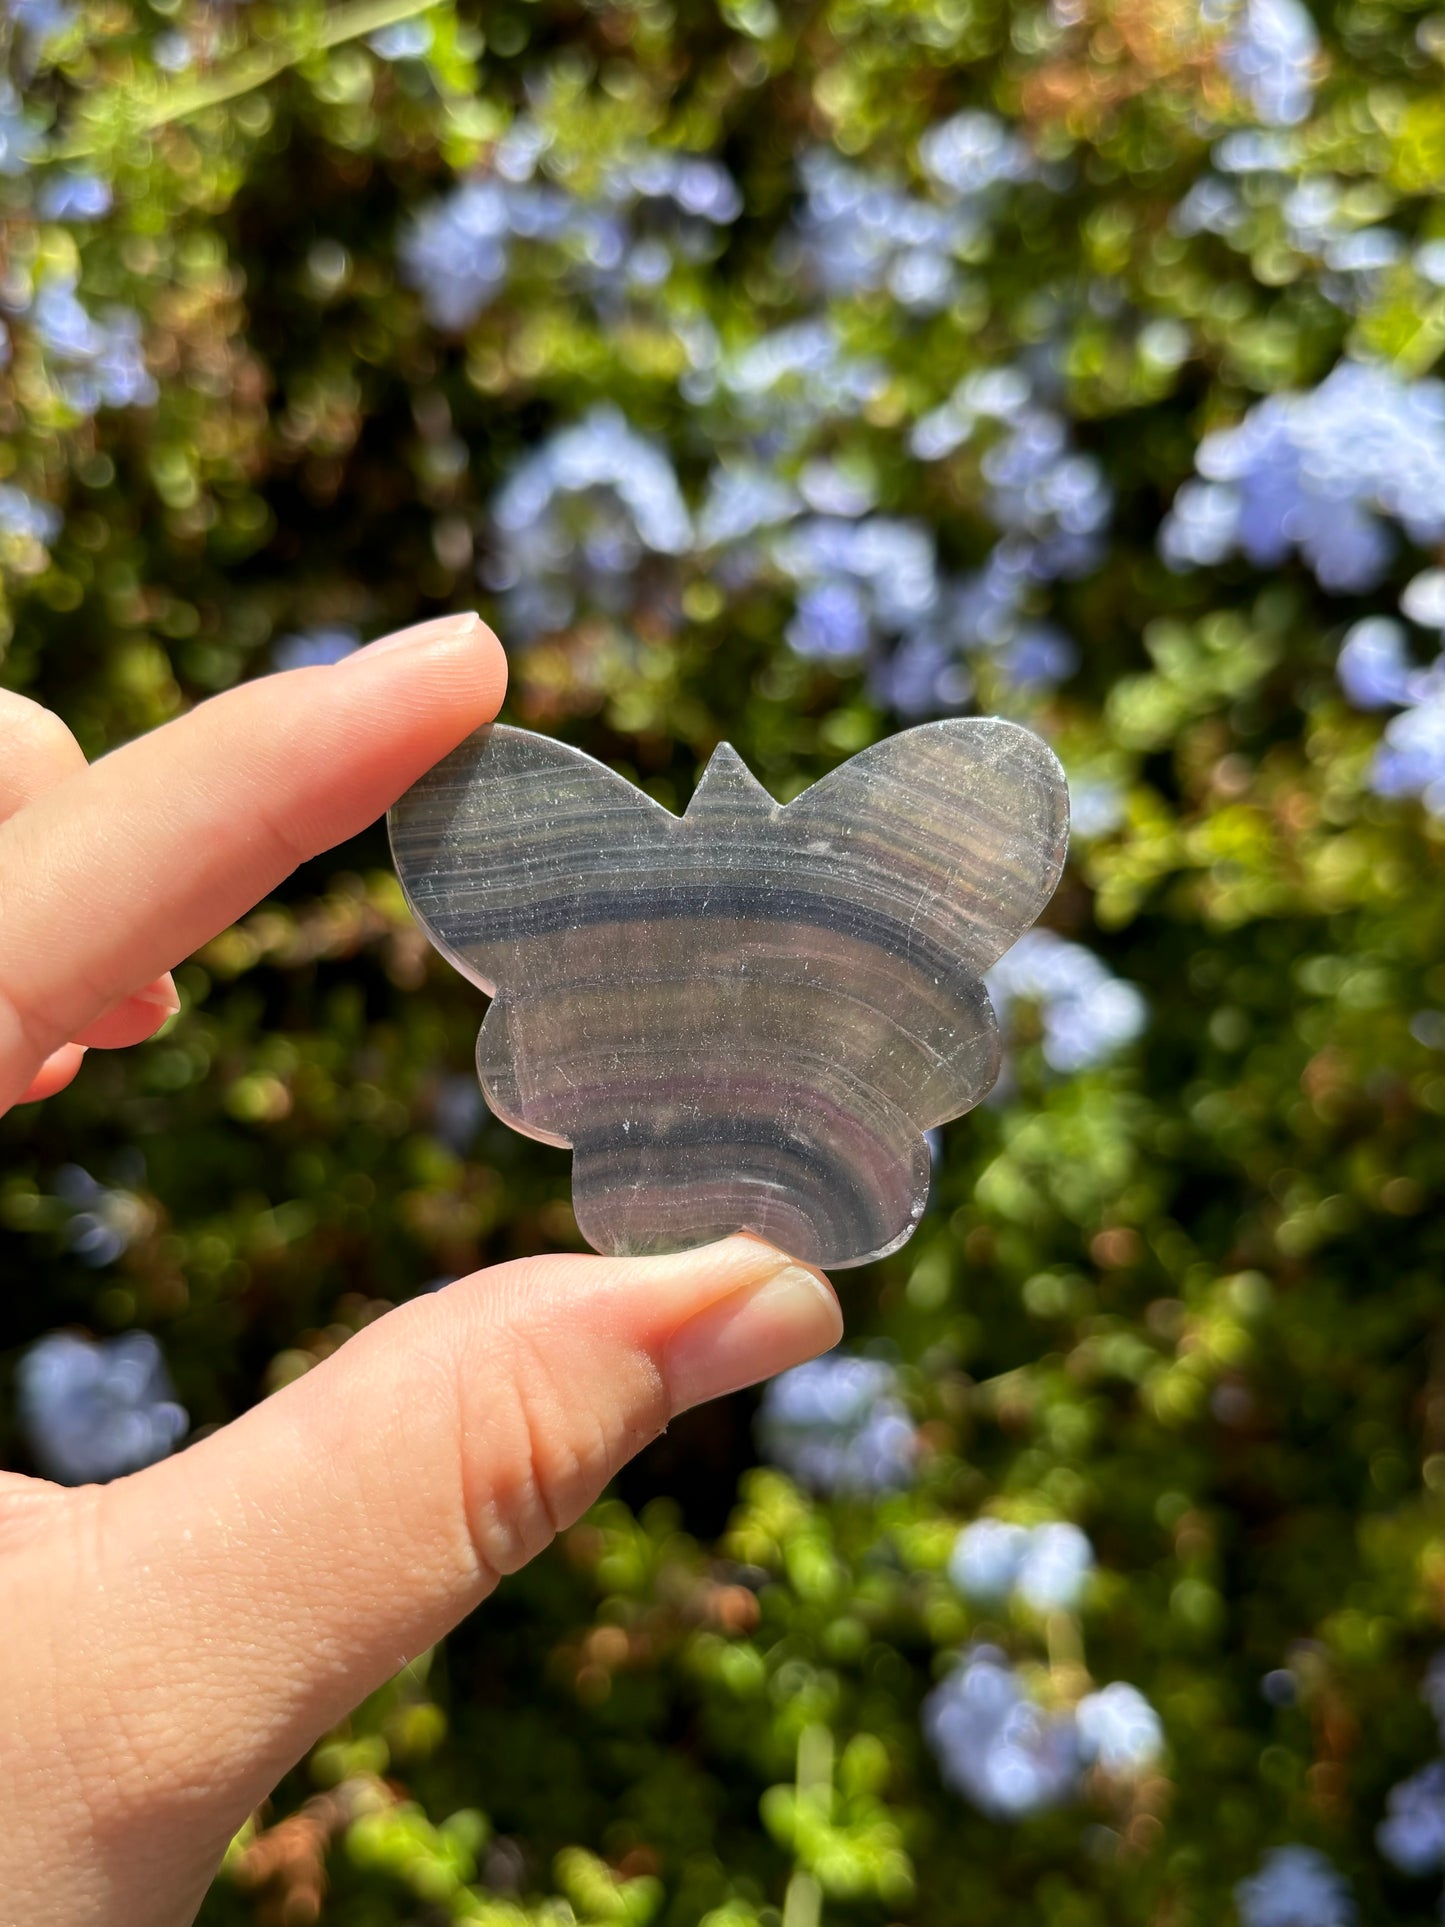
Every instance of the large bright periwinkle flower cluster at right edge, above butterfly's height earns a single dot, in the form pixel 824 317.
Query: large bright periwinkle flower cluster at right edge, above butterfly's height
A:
pixel 1317 471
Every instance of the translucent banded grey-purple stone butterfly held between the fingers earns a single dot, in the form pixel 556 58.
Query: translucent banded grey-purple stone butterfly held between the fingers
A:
pixel 747 1016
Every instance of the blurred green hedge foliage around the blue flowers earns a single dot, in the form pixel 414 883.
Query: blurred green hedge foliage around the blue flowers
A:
pixel 1190 1298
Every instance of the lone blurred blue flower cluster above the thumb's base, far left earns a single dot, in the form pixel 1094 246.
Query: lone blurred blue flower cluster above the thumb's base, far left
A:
pixel 93 1412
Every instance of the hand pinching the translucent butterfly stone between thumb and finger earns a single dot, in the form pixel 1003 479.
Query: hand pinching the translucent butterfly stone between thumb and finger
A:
pixel 176 1641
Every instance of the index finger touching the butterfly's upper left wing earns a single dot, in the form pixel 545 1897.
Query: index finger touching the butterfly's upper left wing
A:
pixel 132 864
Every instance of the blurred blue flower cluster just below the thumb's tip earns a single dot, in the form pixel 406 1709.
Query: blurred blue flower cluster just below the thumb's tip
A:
pixel 839 1425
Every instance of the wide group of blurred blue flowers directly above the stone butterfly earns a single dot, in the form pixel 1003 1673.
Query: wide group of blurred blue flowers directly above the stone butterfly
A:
pixel 579 521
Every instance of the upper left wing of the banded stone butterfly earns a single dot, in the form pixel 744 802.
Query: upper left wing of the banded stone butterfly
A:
pixel 515 843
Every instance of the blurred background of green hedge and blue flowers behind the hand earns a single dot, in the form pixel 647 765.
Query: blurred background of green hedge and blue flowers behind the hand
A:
pixel 791 371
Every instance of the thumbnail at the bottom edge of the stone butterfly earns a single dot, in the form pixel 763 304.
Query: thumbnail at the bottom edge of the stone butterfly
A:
pixel 752 1334
